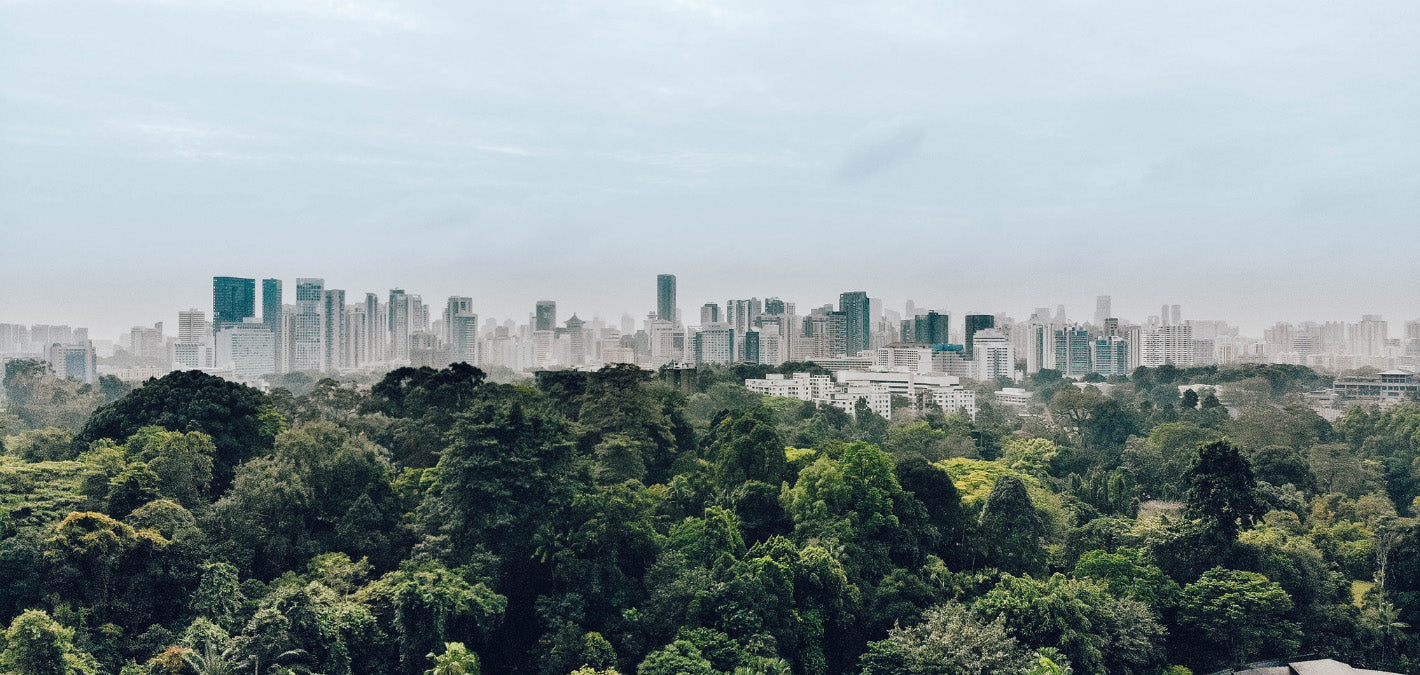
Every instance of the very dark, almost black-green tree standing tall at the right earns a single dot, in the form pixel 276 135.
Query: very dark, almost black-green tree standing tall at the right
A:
pixel 1222 491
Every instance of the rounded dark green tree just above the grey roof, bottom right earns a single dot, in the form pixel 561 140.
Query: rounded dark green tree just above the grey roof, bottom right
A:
pixel 1233 616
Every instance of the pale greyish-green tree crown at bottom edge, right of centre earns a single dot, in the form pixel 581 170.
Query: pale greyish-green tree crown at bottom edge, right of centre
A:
pixel 951 640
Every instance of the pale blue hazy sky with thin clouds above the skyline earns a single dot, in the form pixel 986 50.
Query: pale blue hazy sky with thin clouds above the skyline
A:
pixel 1252 161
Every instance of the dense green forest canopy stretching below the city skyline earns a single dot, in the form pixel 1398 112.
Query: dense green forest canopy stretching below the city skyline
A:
pixel 628 522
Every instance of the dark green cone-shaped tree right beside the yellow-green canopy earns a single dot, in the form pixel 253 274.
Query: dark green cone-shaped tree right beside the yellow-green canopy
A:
pixel 1013 529
